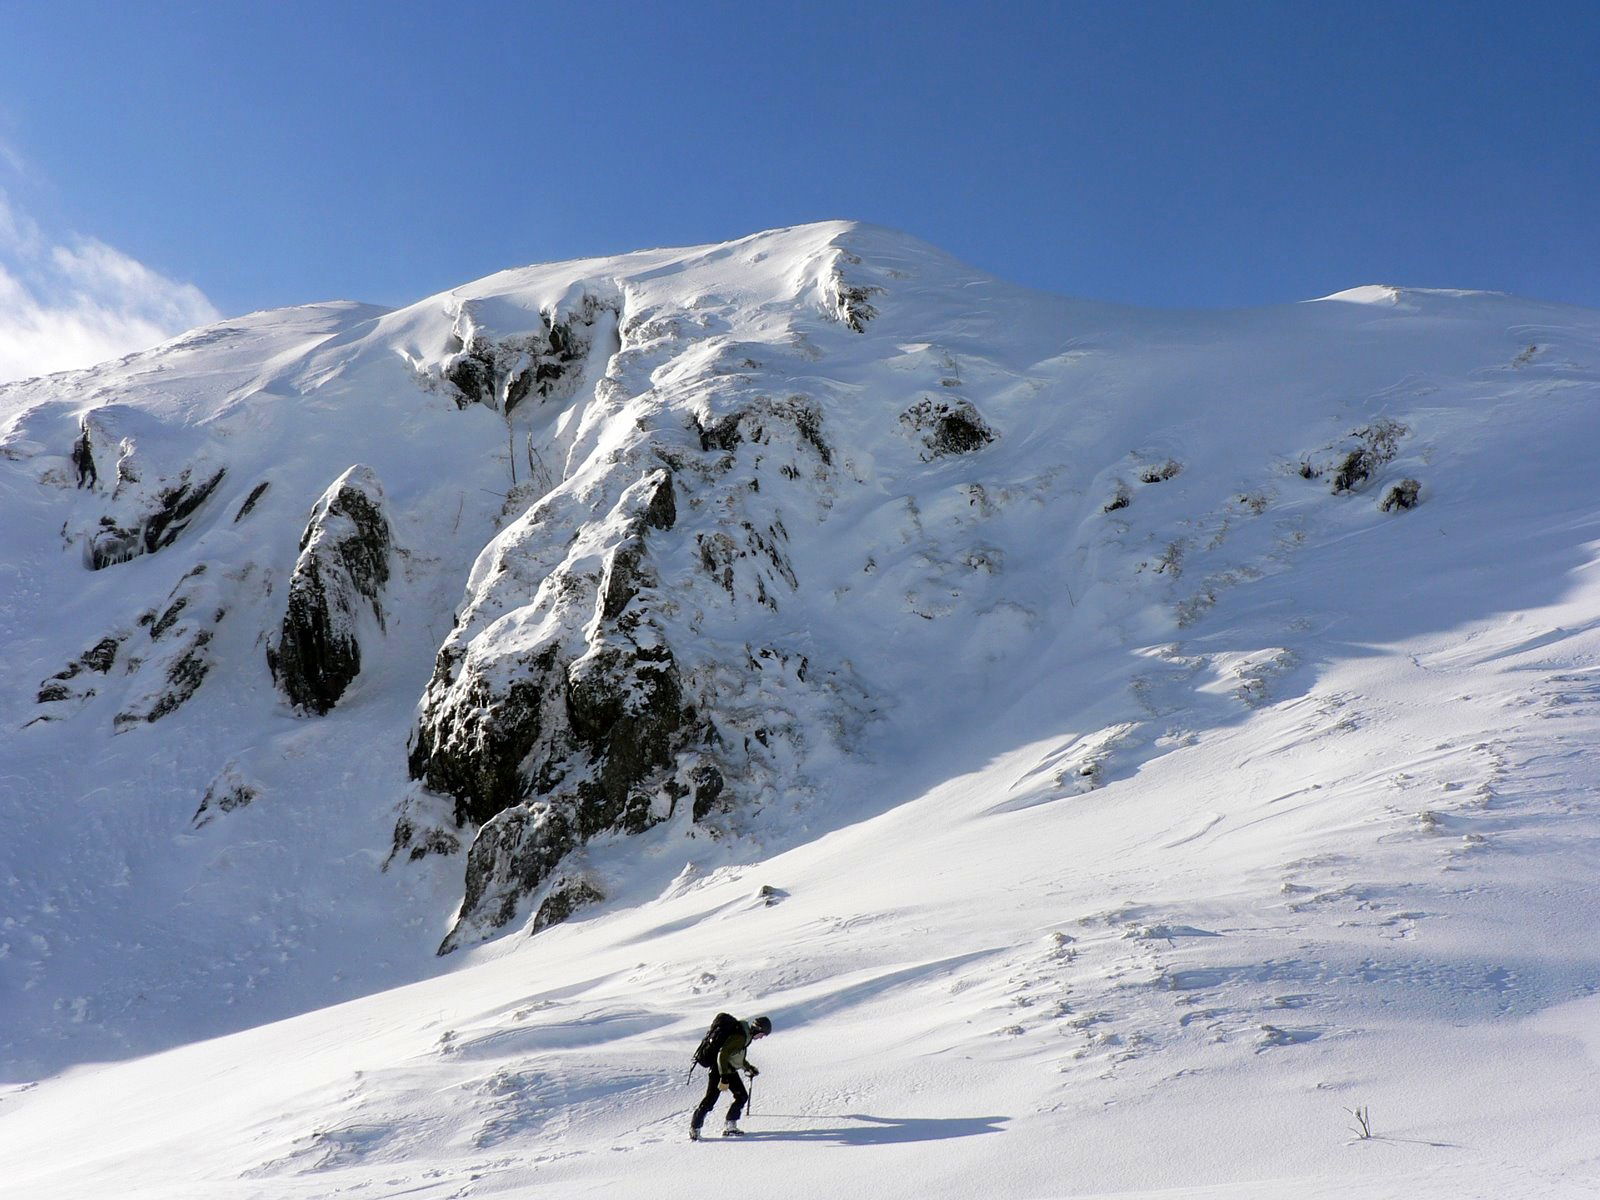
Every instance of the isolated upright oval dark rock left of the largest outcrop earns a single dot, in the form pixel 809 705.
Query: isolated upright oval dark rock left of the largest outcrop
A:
pixel 340 575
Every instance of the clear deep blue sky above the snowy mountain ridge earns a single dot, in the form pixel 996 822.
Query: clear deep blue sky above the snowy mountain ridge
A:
pixel 1167 154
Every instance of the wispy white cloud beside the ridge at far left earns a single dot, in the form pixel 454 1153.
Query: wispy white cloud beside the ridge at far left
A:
pixel 78 302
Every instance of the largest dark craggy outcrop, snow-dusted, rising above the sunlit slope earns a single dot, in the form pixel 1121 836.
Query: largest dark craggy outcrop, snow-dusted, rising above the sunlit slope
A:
pixel 554 726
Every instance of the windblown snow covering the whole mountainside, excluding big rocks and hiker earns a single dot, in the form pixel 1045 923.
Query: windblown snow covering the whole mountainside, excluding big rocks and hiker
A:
pixel 1140 798
